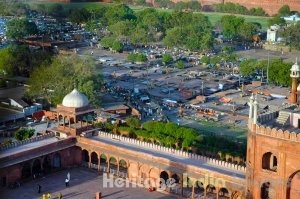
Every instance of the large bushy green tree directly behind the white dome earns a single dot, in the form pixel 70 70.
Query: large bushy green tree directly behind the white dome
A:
pixel 53 81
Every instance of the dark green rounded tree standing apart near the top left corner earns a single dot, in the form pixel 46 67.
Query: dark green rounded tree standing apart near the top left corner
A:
pixel 20 28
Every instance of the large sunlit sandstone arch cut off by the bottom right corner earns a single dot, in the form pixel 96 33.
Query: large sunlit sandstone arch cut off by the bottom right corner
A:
pixel 293 186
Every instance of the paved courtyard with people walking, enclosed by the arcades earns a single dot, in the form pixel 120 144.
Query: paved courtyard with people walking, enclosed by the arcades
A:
pixel 84 184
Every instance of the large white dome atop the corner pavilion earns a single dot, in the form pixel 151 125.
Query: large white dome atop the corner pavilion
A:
pixel 75 99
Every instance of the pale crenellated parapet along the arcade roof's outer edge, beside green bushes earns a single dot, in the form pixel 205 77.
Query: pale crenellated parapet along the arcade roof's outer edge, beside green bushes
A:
pixel 173 151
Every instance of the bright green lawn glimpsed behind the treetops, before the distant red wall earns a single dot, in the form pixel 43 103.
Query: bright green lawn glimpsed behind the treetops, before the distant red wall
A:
pixel 214 17
